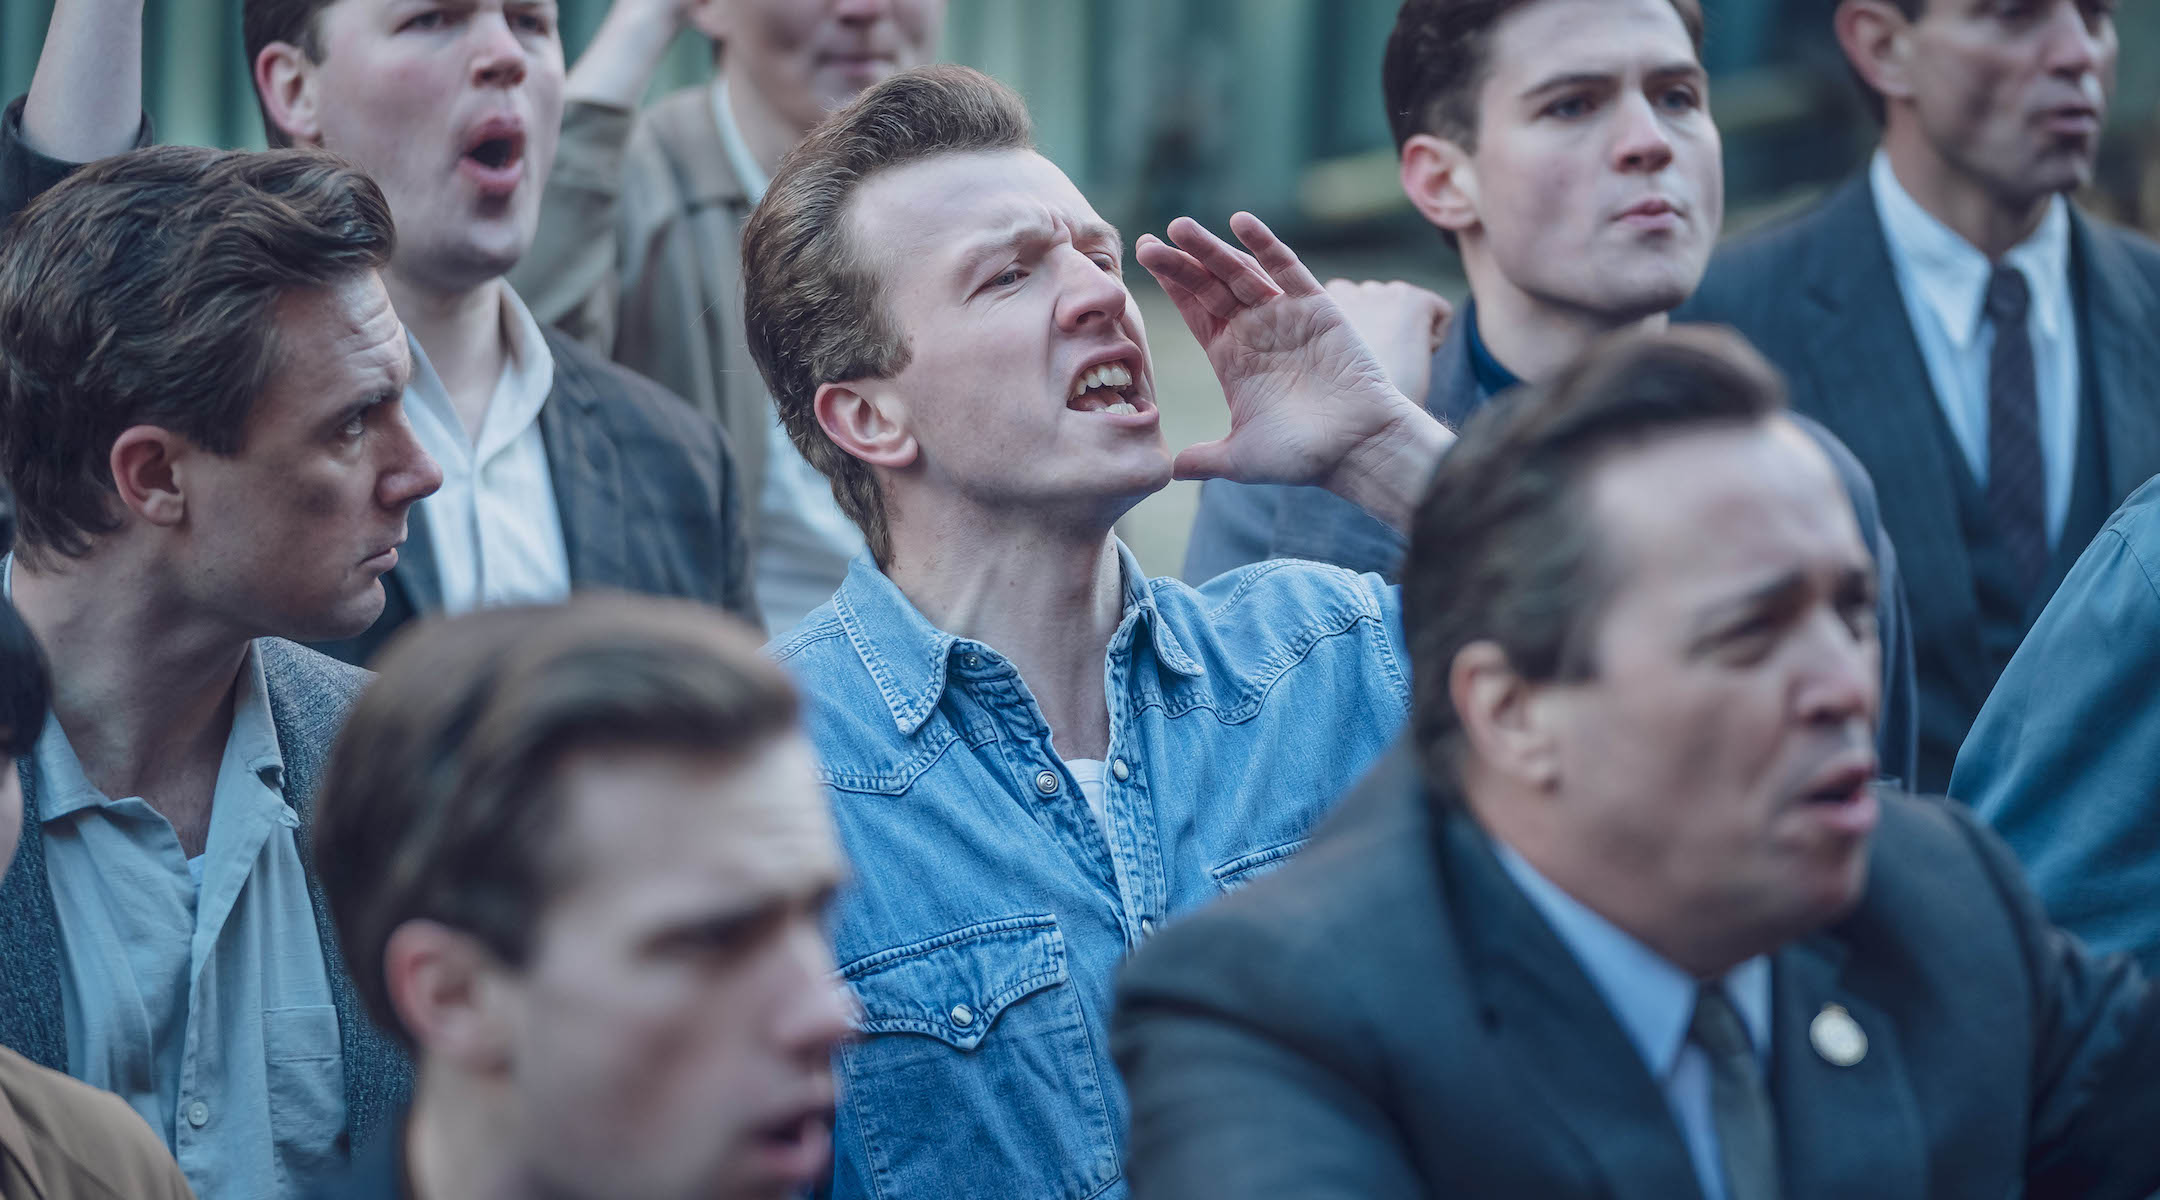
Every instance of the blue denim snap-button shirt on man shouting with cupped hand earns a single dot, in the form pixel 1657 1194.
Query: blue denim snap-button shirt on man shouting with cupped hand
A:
pixel 988 908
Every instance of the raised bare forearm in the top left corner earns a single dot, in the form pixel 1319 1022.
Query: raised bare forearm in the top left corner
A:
pixel 87 94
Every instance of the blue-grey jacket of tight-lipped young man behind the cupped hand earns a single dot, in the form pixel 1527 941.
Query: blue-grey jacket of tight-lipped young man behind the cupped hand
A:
pixel 1247 523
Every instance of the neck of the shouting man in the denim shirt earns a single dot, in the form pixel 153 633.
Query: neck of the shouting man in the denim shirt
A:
pixel 1044 601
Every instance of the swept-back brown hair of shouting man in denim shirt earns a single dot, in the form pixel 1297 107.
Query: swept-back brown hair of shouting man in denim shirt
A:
pixel 813 299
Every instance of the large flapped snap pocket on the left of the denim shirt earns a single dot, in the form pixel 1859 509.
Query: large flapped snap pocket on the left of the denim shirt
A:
pixel 977 1022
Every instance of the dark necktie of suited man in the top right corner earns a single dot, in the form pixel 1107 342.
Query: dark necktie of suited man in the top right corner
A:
pixel 2016 476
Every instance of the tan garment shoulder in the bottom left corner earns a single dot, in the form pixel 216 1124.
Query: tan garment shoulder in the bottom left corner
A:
pixel 66 1141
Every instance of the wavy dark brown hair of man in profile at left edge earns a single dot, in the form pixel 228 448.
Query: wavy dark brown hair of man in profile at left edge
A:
pixel 141 292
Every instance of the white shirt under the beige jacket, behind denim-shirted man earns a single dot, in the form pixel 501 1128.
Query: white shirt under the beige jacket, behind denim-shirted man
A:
pixel 805 541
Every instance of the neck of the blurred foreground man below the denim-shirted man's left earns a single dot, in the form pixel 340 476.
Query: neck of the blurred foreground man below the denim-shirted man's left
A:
pixel 459 1143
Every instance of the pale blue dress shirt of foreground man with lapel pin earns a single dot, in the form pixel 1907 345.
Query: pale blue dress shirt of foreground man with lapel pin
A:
pixel 1656 1003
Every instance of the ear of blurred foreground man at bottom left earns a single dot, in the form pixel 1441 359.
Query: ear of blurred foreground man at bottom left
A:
pixel 450 998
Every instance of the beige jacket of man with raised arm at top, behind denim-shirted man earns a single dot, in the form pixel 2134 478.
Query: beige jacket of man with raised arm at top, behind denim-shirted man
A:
pixel 638 258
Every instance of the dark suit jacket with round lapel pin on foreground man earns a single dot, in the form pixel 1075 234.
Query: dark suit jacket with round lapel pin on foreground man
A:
pixel 1390 1018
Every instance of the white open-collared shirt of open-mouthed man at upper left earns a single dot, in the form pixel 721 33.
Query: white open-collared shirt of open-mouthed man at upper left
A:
pixel 496 528
